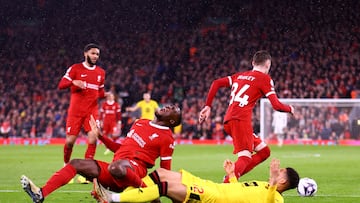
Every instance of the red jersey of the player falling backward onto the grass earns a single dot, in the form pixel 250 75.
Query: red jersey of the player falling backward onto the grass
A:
pixel 145 142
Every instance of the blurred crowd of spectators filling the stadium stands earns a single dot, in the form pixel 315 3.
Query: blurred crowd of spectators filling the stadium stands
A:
pixel 174 50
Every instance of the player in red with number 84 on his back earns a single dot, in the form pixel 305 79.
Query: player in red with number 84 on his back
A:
pixel 246 89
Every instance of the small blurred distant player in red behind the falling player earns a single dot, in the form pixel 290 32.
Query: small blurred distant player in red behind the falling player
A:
pixel 110 117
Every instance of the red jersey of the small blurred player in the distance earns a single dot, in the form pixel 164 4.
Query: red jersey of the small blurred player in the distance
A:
pixel 110 111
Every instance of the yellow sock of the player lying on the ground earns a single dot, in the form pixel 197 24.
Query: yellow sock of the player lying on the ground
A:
pixel 145 194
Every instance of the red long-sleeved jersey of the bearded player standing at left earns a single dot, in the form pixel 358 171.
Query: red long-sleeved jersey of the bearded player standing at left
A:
pixel 84 101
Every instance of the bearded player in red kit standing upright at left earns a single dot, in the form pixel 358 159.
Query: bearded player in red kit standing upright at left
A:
pixel 86 83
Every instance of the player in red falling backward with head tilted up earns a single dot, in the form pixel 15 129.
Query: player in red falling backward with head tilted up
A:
pixel 145 142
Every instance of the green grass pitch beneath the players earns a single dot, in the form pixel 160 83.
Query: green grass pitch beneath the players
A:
pixel 335 169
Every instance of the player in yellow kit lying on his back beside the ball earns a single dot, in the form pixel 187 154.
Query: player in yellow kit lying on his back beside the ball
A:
pixel 185 187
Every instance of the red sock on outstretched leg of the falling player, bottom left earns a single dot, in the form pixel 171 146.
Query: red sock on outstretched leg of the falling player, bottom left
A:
pixel 58 179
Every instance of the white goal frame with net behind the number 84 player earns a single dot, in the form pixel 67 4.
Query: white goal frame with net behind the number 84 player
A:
pixel 314 119
